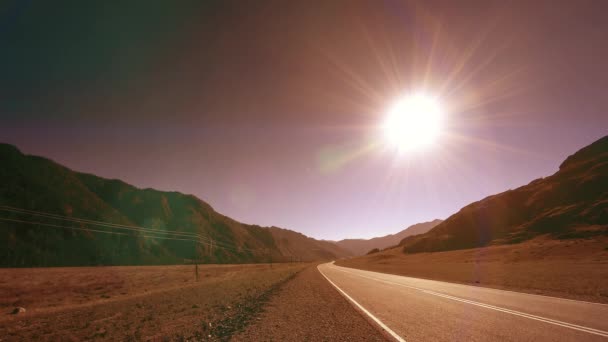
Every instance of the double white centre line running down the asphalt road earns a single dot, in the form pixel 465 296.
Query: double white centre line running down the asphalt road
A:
pixel 488 306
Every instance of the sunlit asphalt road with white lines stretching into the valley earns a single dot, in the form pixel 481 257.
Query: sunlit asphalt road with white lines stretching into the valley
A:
pixel 414 309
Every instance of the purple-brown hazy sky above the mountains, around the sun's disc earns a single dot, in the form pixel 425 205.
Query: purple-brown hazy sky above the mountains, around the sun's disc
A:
pixel 271 111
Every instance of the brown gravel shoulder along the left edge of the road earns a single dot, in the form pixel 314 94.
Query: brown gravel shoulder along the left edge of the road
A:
pixel 308 308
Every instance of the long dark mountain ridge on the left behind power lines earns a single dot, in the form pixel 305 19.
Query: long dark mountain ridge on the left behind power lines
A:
pixel 184 227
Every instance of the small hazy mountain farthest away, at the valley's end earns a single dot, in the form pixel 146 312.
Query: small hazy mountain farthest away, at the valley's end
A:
pixel 362 246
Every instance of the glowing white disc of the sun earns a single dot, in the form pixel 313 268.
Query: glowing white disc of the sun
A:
pixel 413 122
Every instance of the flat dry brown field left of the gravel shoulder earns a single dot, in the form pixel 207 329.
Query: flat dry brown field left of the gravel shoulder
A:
pixel 135 303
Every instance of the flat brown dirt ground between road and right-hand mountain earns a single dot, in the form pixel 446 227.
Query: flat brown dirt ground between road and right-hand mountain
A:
pixel 575 269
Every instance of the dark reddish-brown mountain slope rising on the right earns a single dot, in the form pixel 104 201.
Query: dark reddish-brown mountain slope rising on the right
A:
pixel 572 203
